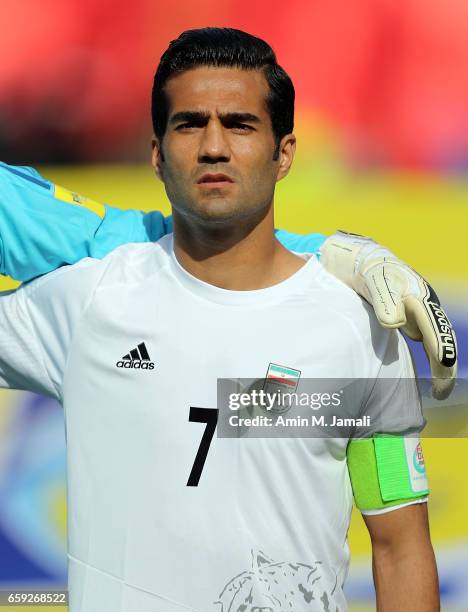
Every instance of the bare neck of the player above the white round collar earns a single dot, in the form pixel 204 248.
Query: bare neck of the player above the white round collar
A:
pixel 240 256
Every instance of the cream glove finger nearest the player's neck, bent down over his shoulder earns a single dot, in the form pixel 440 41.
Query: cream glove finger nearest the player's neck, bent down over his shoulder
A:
pixel 385 294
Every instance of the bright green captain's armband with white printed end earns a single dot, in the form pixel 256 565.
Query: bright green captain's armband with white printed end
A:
pixel 386 470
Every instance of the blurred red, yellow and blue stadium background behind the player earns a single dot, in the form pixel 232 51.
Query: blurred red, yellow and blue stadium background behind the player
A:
pixel 382 126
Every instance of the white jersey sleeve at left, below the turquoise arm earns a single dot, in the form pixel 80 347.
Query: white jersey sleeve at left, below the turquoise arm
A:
pixel 37 325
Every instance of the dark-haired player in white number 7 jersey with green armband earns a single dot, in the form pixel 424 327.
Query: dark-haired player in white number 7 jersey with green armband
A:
pixel 163 515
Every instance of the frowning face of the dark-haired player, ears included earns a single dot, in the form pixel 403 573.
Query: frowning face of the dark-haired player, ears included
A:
pixel 218 124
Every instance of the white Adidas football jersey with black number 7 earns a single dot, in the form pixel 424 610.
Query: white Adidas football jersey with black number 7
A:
pixel 129 345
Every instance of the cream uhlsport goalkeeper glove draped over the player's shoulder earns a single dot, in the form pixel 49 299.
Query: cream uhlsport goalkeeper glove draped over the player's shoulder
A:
pixel 400 297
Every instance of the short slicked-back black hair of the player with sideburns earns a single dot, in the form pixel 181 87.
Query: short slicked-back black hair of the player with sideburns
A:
pixel 225 47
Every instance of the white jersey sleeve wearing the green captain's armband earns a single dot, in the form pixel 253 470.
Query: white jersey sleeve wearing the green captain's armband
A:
pixel 385 457
